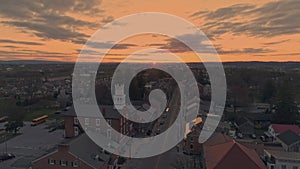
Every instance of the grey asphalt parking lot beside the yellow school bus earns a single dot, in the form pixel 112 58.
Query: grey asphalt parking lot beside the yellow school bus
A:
pixel 31 144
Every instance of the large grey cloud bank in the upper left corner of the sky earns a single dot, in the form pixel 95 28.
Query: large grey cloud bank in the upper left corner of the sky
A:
pixel 48 19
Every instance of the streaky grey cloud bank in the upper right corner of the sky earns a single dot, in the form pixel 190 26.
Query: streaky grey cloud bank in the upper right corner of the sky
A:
pixel 269 20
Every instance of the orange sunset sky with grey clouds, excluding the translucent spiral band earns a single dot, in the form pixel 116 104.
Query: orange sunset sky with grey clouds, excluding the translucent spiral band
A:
pixel 240 30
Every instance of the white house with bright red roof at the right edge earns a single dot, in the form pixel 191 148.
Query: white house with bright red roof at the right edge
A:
pixel 276 129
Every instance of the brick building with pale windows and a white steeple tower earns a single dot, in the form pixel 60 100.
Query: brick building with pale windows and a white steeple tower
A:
pixel 92 121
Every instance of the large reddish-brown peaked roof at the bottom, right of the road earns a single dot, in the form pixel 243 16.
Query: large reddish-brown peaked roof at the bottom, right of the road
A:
pixel 231 155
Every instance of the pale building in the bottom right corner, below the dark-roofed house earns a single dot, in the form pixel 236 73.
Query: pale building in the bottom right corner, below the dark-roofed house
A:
pixel 277 159
